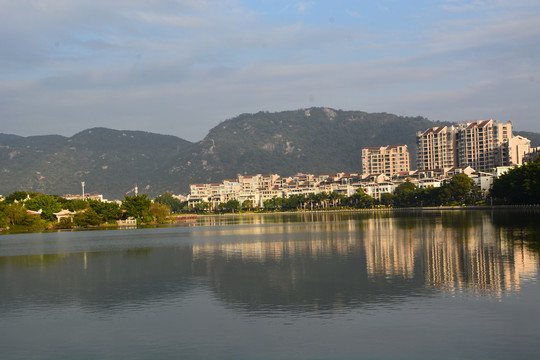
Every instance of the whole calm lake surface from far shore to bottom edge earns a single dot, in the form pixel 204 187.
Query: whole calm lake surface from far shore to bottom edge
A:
pixel 432 285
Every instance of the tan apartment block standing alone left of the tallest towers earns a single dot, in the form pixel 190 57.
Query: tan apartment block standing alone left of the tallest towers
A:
pixel 387 160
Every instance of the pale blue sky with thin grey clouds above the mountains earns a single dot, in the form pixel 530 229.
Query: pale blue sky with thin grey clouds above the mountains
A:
pixel 182 67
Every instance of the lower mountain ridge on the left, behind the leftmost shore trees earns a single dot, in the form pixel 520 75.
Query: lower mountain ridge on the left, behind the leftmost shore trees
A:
pixel 111 162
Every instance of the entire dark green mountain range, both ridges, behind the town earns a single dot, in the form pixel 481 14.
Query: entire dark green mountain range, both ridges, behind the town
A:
pixel 113 162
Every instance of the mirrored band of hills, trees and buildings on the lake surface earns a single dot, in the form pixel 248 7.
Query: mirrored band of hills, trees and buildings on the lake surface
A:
pixel 305 262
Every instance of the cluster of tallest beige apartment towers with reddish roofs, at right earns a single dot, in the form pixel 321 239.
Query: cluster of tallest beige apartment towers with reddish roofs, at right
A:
pixel 482 145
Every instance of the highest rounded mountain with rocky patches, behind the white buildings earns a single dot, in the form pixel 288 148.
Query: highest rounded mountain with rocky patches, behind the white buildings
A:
pixel 315 140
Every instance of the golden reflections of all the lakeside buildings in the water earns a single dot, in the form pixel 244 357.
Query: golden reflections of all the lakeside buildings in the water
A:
pixel 473 256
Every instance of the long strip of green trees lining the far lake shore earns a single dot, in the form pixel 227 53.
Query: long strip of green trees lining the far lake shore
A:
pixel 32 211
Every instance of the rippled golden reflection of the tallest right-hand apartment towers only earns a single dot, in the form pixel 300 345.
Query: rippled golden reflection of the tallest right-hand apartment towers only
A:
pixel 485 260
